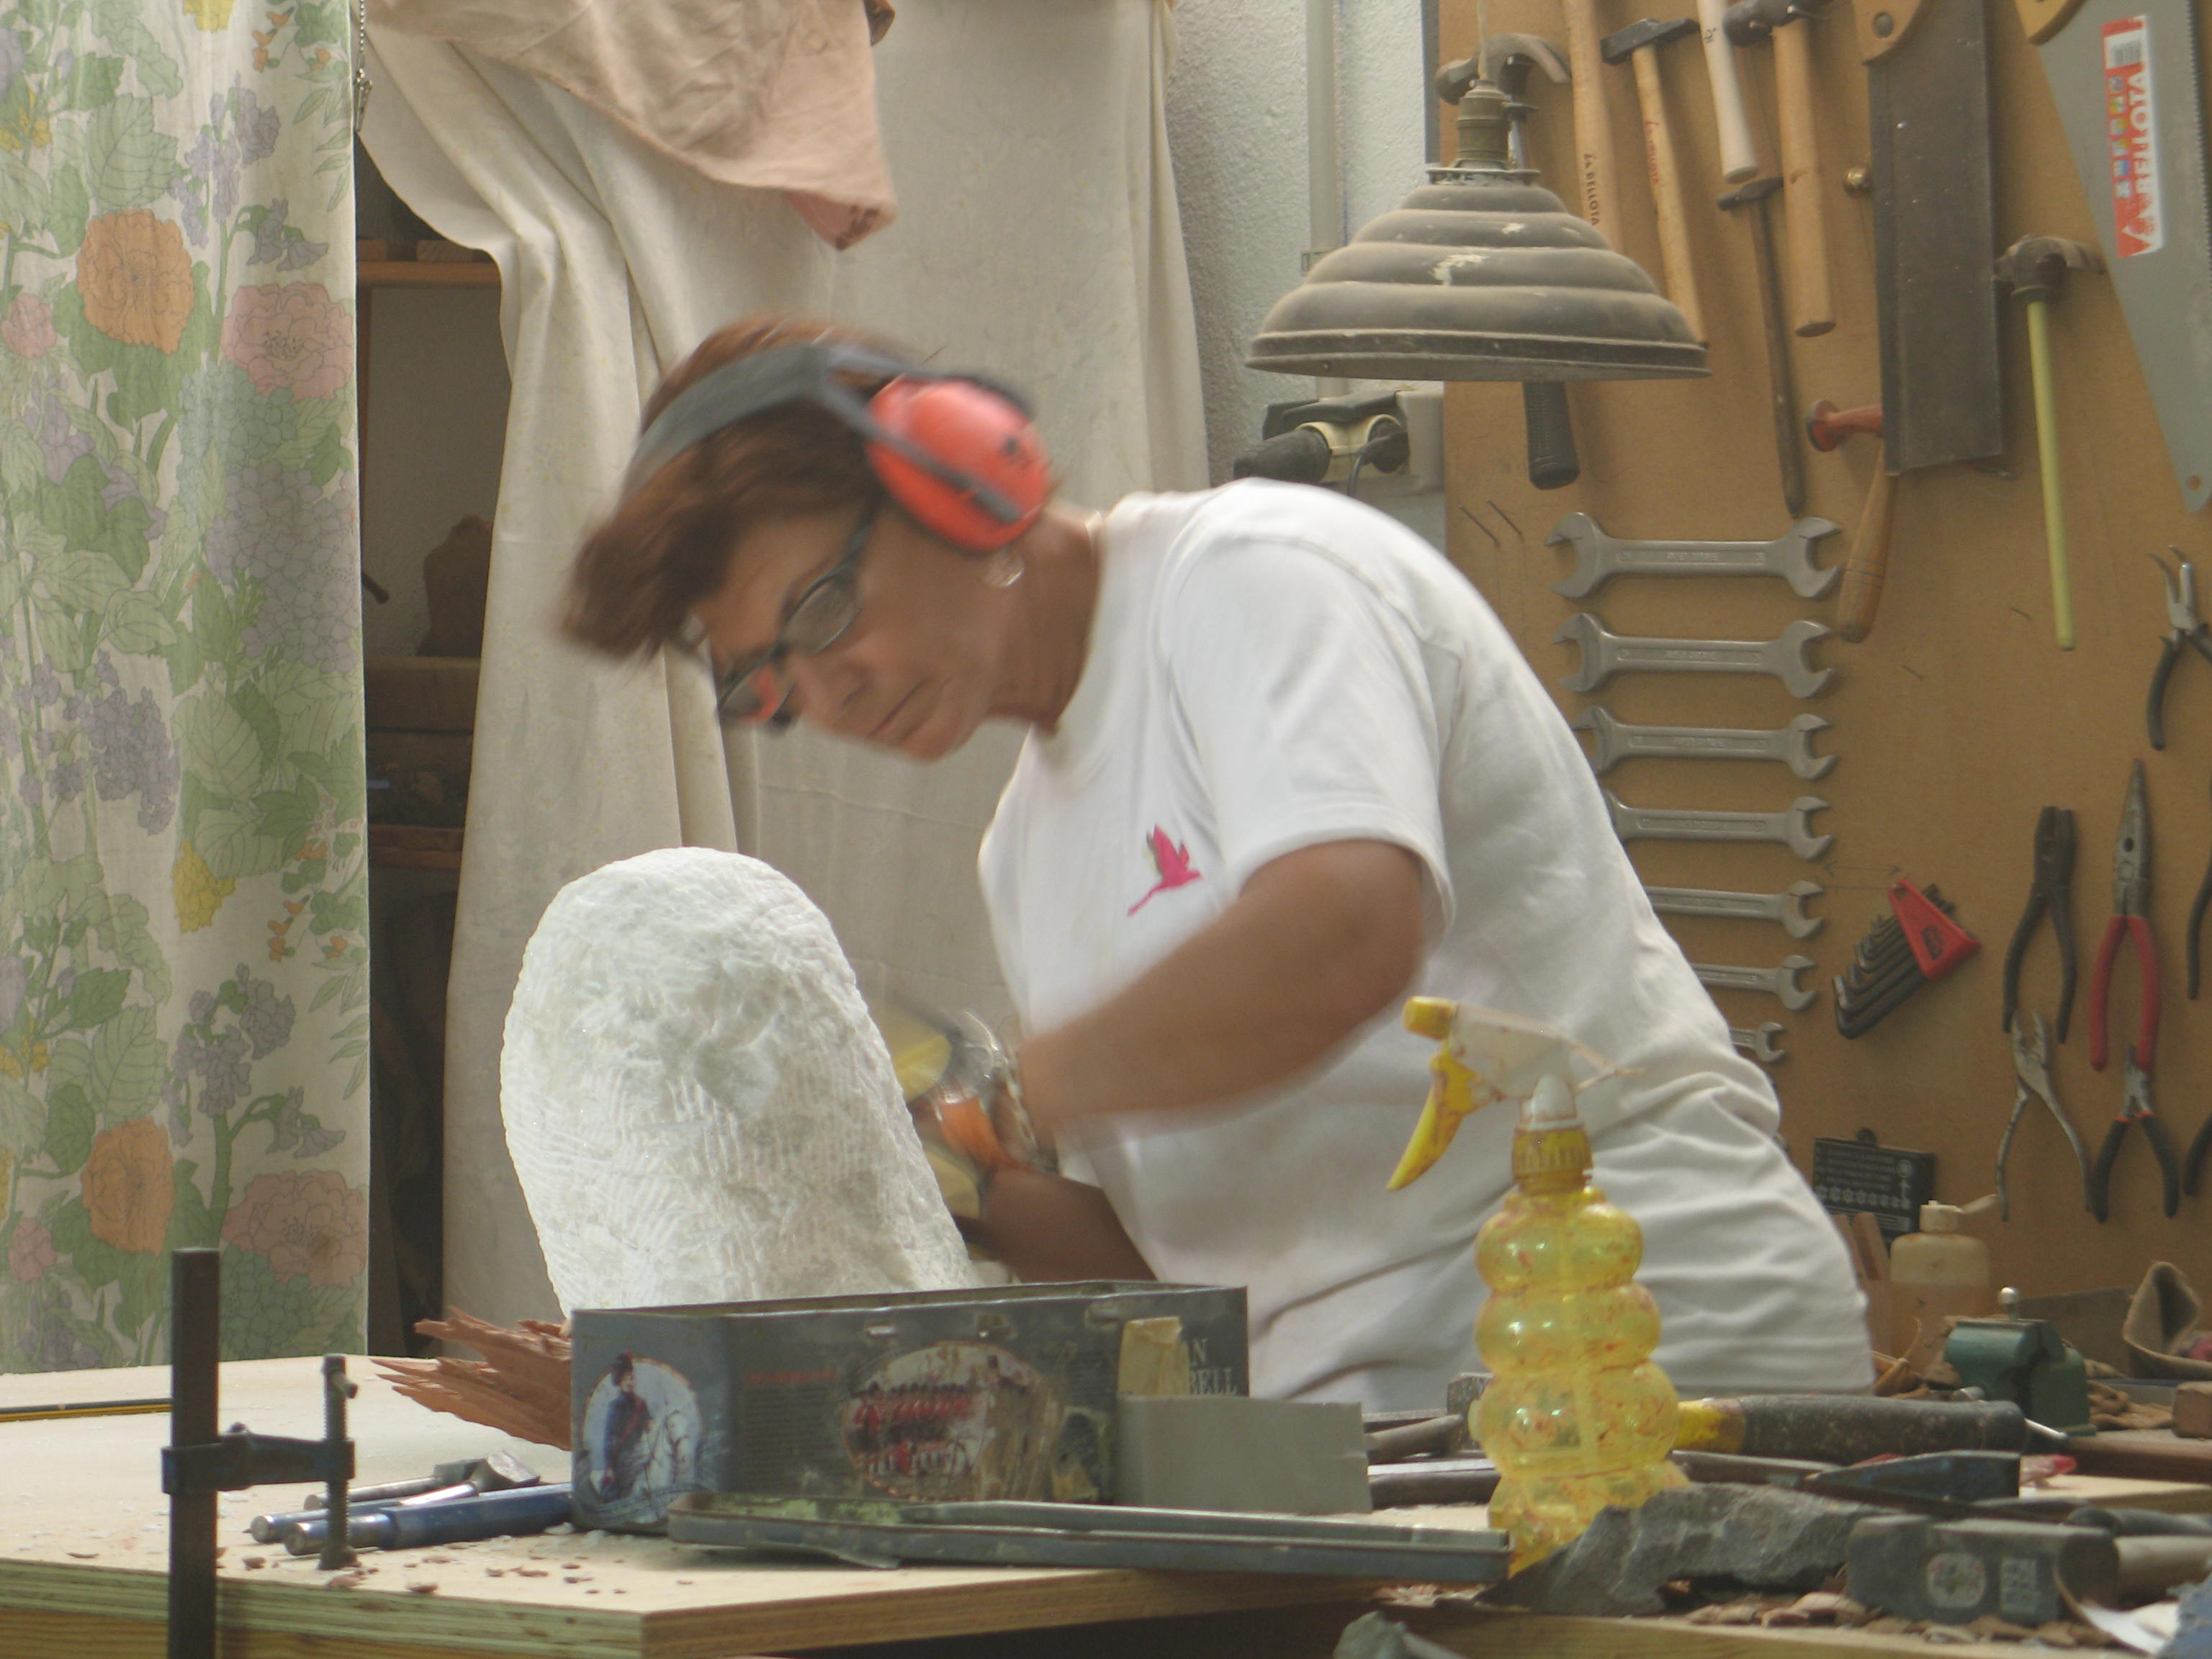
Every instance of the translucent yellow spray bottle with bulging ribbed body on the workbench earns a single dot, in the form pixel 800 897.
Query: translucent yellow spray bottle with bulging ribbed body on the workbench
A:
pixel 1576 1415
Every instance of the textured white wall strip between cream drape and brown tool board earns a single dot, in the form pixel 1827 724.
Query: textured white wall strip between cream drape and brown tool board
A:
pixel 1238 132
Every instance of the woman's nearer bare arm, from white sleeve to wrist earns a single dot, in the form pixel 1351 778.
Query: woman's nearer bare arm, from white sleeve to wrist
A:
pixel 1315 948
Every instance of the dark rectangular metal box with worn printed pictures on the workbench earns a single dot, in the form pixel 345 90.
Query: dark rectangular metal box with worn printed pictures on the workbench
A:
pixel 926 1397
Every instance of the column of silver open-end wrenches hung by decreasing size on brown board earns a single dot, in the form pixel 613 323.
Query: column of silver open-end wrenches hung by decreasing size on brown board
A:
pixel 1788 660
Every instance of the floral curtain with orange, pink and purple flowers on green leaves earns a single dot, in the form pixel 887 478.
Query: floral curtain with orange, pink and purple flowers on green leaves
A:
pixel 182 866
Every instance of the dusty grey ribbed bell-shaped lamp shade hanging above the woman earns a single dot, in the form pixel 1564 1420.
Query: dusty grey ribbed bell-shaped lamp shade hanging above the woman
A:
pixel 1481 275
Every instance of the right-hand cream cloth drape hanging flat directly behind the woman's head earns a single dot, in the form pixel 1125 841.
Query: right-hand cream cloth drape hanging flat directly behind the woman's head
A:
pixel 1039 240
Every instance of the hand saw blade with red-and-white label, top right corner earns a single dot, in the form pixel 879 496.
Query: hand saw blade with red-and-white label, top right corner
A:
pixel 2125 79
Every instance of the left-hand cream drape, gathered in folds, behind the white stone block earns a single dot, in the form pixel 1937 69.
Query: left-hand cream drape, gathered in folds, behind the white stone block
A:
pixel 614 264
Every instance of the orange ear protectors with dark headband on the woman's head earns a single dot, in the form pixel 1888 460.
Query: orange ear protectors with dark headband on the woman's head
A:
pixel 957 452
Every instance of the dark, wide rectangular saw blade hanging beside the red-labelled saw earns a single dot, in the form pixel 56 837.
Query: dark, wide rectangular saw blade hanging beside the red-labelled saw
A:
pixel 1934 242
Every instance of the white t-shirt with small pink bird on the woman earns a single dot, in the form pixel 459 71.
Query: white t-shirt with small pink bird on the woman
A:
pixel 1277 667
